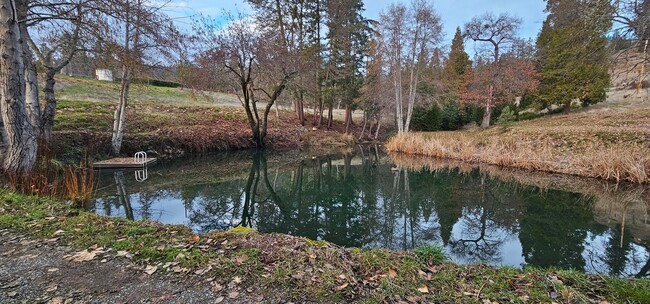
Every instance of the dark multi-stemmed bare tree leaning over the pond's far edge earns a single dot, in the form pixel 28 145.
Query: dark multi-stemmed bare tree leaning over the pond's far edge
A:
pixel 258 65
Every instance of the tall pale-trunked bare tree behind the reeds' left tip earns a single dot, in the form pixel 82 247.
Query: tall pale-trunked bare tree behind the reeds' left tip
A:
pixel 410 36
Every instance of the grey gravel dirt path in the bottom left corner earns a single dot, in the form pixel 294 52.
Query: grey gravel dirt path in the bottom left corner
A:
pixel 34 271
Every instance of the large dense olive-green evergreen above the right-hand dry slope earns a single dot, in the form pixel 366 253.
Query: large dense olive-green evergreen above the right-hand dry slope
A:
pixel 573 59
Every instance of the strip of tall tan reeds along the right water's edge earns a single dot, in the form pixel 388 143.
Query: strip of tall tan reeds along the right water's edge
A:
pixel 614 162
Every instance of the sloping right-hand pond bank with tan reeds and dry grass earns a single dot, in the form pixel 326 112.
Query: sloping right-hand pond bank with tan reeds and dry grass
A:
pixel 609 141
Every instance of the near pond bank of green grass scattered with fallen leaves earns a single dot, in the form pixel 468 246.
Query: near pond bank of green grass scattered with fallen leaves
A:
pixel 242 265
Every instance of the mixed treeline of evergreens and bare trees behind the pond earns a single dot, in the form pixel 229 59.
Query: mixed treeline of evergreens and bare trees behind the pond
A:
pixel 399 69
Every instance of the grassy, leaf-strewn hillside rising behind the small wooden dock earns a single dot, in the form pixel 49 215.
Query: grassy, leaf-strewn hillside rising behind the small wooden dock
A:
pixel 166 121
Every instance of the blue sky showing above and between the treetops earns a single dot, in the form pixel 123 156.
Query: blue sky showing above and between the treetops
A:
pixel 453 12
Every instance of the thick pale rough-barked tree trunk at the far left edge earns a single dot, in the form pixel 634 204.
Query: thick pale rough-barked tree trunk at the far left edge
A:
pixel 20 155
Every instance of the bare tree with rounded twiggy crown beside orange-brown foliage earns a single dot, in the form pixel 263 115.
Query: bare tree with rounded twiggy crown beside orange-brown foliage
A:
pixel 499 32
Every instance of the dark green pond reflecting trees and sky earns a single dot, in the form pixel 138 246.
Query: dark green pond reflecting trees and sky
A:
pixel 369 199
